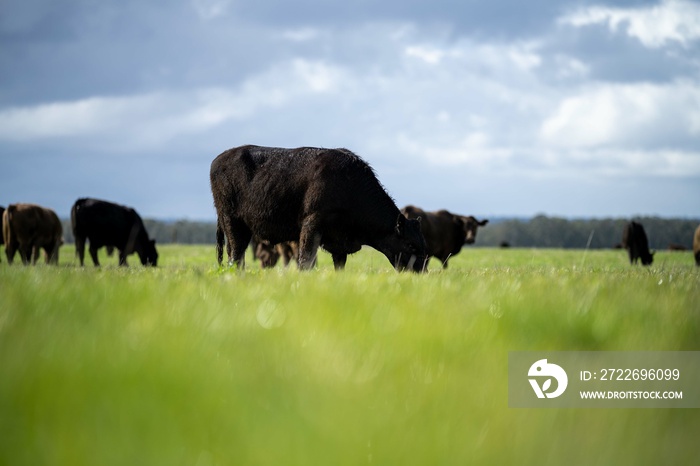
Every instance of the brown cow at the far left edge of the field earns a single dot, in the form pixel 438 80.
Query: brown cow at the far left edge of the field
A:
pixel 28 228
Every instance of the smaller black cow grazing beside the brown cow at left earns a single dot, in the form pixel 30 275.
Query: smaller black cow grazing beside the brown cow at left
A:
pixel 111 225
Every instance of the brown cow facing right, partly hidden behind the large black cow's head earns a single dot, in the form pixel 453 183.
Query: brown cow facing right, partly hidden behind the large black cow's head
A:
pixel 445 233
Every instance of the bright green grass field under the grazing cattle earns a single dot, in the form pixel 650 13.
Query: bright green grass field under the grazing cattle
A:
pixel 188 364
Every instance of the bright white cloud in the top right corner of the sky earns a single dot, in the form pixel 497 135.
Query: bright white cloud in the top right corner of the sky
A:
pixel 654 26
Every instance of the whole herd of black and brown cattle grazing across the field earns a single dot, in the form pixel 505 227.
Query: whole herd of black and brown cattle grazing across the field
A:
pixel 285 203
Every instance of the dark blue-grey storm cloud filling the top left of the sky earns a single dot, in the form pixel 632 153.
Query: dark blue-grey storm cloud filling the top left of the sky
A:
pixel 69 50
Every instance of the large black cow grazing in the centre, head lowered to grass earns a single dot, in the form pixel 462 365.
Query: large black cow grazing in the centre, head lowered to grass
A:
pixel 318 197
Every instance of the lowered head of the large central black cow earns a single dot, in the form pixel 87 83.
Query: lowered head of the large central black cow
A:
pixel 407 245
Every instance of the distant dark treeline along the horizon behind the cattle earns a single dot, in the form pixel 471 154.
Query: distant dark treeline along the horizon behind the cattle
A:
pixel 538 232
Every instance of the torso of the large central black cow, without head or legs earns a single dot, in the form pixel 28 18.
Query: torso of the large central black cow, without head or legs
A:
pixel 273 189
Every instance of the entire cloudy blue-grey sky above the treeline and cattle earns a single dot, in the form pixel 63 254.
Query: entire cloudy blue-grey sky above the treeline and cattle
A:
pixel 562 107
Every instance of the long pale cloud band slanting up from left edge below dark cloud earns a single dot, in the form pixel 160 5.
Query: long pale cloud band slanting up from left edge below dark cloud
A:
pixel 155 118
